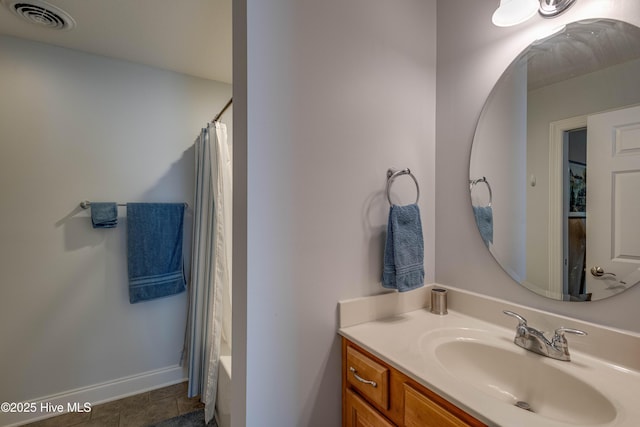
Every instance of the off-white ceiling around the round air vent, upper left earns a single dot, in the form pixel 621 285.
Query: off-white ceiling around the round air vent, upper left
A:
pixel 187 36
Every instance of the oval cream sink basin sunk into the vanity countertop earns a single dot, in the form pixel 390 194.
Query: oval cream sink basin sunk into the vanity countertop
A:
pixel 497 367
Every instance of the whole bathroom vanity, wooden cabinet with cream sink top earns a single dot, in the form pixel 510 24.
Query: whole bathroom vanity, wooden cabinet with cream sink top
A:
pixel 403 365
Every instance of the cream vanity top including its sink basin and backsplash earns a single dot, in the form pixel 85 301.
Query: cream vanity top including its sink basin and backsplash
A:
pixel 472 362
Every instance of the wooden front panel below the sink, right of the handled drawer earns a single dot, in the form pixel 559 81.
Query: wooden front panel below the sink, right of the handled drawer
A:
pixel 420 411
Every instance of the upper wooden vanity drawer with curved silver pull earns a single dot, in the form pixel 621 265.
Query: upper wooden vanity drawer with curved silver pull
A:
pixel 369 377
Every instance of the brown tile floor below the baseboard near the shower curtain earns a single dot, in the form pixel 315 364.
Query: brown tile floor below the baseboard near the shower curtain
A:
pixel 135 411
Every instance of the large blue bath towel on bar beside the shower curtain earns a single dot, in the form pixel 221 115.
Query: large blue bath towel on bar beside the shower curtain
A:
pixel 154 250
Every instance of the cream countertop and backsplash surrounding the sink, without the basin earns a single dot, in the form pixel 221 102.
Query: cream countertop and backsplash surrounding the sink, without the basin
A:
pixel 399 339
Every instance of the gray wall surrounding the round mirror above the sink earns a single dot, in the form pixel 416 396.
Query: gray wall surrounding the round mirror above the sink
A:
pixel 472 54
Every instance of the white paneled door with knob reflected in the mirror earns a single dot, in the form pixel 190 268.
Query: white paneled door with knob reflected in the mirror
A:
pixel 613 205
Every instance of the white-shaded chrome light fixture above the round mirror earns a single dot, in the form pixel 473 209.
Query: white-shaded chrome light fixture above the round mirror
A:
pixel 514 12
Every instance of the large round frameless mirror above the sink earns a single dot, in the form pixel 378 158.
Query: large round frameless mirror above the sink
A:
pixel 564 110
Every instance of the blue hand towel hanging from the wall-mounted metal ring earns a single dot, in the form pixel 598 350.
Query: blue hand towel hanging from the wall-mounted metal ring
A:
pixel 404 249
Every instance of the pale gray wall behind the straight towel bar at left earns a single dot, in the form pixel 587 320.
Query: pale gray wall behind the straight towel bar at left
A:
pixel 76 126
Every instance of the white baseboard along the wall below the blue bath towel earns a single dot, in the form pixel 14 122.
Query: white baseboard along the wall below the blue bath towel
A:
pixel 96 394
